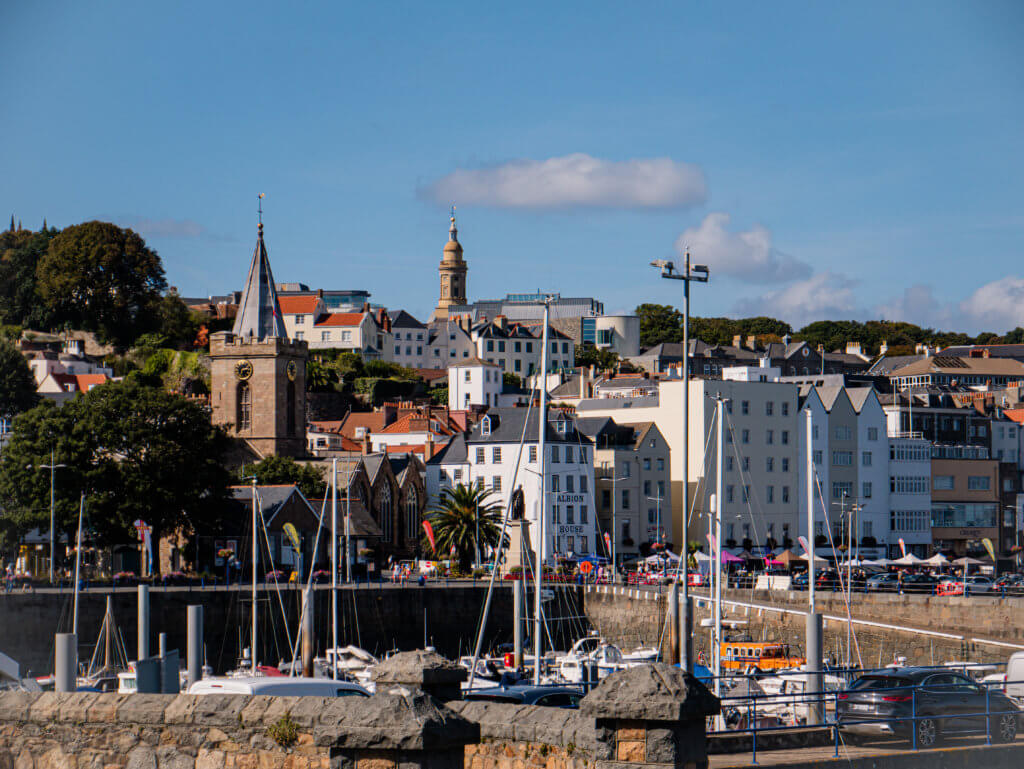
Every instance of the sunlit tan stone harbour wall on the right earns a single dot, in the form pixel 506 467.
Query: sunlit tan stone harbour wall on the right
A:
pixel 924 629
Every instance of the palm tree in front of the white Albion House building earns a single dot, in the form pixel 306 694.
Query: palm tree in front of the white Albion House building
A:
pixel 462 512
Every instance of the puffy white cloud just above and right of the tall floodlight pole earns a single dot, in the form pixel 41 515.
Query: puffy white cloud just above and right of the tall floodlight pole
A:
pixel 747 257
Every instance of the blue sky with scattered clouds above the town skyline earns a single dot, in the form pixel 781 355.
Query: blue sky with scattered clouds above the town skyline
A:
pixel 826 160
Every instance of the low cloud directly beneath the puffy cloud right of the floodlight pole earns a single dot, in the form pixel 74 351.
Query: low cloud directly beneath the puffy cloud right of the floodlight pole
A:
pixel 825 296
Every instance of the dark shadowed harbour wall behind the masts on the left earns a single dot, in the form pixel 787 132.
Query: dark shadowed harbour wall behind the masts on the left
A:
pixel 378 619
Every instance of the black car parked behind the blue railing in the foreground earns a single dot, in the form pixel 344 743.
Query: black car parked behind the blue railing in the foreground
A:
pixel 945 703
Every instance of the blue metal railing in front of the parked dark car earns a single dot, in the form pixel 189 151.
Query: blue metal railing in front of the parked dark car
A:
pixel 741 713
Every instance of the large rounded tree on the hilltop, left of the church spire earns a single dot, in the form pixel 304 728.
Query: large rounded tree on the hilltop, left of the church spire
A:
pixel 102 278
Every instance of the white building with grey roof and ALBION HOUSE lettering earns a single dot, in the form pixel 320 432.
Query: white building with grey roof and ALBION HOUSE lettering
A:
pixel 488 456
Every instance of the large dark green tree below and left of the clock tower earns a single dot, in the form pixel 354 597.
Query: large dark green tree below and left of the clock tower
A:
pixel 136 451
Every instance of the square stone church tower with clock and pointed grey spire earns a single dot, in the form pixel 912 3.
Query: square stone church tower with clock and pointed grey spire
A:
pixel 258 375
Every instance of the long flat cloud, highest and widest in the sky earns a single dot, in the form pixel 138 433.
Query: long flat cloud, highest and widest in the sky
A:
pixel 576 181
